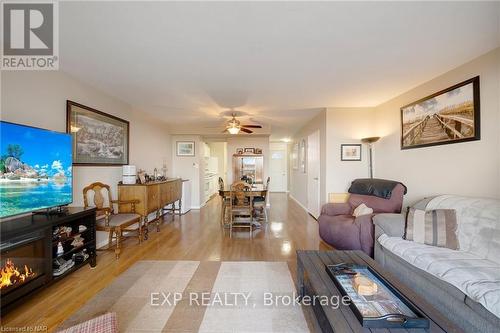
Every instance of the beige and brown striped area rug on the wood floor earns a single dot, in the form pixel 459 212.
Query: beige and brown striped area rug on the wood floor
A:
pixel 192 296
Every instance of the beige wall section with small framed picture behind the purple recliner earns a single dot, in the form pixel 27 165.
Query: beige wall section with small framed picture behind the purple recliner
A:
pixel 345 126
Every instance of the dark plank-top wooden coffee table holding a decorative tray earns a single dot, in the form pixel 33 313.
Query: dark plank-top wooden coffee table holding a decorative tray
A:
pixel 312 279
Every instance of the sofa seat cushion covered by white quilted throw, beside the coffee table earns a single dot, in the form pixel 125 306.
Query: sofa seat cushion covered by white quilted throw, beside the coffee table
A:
pixel 476 277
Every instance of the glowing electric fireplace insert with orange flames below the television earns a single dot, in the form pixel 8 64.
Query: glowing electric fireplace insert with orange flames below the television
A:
pixel 24 265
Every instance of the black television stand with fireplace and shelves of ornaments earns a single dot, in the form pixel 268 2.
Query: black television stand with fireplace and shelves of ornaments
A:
pixel 52 245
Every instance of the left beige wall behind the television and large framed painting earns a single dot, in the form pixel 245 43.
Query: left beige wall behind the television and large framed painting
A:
pixel 38 98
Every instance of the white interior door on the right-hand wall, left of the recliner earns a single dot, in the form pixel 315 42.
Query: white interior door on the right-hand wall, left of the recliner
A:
pixel 313 174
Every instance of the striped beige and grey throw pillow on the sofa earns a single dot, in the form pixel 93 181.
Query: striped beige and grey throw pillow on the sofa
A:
pixel 433 227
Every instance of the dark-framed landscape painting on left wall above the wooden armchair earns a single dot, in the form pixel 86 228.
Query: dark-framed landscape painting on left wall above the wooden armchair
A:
pixel 98 138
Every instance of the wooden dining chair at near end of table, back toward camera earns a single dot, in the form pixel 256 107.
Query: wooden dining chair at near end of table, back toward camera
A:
pixel 240 208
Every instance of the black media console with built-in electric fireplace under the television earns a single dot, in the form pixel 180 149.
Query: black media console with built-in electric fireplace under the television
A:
pixel 28 251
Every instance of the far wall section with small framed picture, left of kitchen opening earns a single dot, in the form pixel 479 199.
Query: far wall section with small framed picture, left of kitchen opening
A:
pixel 191 168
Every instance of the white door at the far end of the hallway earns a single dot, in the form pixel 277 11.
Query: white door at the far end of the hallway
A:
pixel 278 168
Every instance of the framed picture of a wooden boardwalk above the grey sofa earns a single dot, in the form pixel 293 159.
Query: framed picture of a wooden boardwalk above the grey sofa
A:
pixel 448 116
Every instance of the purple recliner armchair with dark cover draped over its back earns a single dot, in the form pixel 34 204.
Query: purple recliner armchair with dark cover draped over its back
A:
pixel 340 229
